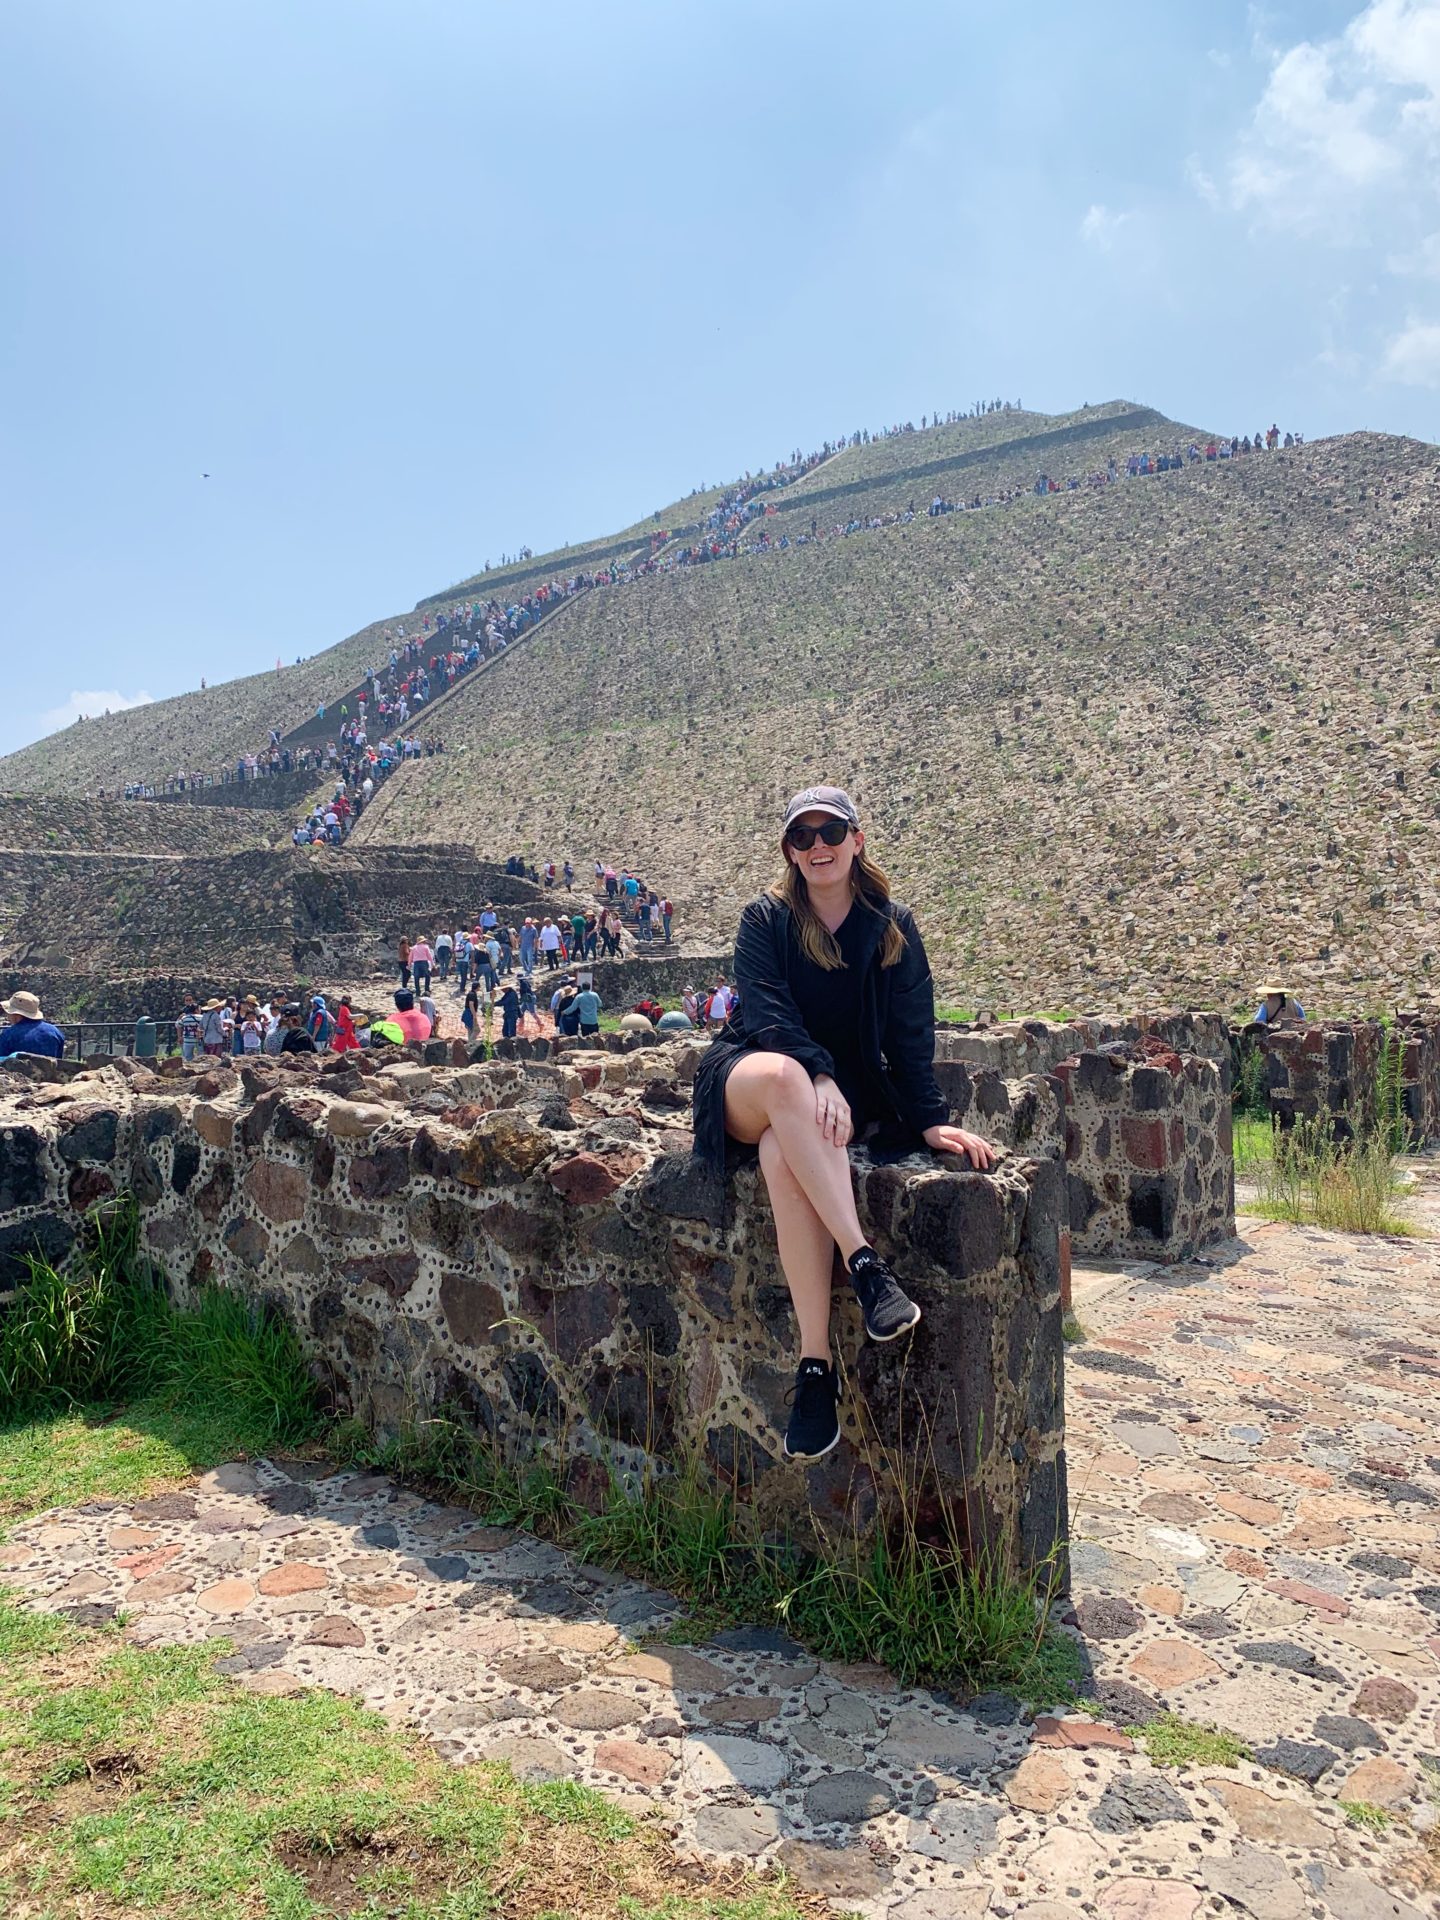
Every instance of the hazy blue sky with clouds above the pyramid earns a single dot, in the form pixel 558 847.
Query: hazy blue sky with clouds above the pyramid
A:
pixel 420 285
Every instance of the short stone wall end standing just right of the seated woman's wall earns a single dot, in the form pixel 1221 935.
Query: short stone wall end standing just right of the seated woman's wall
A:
pixel 1147 1153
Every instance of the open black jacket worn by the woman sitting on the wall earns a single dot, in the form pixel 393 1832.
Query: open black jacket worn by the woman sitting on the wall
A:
pixel 898 1026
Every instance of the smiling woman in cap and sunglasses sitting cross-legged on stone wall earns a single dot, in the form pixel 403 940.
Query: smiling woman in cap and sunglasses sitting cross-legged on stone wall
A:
pixel 832 1044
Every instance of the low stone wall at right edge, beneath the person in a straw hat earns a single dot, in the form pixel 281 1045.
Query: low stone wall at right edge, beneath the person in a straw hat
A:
pixel 1345 1068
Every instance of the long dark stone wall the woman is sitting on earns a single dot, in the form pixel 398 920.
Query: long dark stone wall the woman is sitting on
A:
pixel 535 1245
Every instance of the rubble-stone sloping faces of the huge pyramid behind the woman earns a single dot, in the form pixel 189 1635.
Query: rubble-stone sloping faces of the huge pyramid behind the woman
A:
pixel 1157 738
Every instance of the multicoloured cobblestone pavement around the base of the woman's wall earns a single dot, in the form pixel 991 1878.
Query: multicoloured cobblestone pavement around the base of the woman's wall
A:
pixel 1255 1547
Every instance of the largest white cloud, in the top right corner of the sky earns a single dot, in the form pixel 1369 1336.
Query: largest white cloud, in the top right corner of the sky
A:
pixel 1347 128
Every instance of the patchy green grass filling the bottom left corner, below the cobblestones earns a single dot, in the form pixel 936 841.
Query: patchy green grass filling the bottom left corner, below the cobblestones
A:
pixel 139 1783
